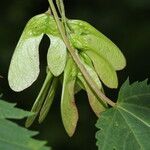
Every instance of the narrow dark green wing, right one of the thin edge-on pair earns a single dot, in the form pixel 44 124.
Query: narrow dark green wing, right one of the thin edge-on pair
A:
pixel 48 101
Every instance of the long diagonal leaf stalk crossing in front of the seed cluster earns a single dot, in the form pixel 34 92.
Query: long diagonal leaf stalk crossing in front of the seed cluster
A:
pixel 76 58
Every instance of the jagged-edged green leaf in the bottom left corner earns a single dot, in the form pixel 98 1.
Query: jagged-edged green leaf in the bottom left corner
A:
pixel 14 137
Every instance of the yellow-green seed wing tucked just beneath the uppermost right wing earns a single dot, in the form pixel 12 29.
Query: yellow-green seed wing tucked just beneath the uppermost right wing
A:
pixel 105 71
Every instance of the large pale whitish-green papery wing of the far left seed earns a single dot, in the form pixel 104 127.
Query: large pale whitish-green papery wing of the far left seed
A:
pixel 24 67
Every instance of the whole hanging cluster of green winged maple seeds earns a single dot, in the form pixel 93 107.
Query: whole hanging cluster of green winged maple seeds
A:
pixel 99 55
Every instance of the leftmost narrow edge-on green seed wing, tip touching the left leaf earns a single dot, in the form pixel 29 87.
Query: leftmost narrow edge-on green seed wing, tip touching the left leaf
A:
pixel 40 99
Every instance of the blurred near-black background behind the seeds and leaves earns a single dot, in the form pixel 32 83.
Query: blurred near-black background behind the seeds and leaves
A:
pixel 126 22
